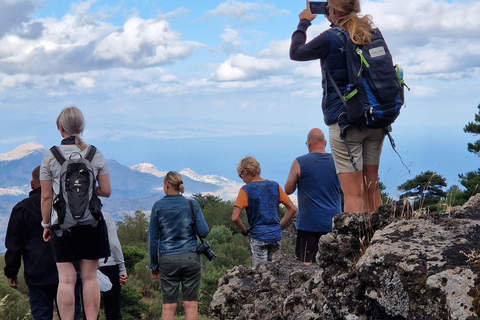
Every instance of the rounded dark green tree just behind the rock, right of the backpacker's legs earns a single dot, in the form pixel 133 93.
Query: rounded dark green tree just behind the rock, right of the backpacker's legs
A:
pixel 426 188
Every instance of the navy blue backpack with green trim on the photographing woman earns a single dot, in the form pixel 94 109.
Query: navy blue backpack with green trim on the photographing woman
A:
pixel 375 93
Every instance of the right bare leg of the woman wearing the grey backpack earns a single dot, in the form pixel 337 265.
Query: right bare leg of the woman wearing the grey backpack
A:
pixel 91 290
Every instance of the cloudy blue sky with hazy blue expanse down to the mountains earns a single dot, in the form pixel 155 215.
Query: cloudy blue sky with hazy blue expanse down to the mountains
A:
pixel 200 84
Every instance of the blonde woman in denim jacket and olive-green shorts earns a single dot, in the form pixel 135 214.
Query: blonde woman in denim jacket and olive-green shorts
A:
pixel 172 243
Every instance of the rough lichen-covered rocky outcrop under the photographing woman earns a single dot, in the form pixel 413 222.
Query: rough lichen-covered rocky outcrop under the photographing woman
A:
pixel 391 264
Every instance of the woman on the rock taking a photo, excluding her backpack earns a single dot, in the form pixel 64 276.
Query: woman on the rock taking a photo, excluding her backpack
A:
pixel 360 188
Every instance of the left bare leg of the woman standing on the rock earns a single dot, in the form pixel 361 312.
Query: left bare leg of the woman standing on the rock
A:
pixel 353 192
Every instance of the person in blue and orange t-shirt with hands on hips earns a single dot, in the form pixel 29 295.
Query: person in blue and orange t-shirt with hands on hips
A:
pixel 261 198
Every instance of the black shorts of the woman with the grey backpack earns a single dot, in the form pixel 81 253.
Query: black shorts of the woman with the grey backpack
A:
pixel 78 243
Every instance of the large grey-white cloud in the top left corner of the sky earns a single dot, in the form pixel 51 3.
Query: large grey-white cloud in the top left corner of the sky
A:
pixel 84 42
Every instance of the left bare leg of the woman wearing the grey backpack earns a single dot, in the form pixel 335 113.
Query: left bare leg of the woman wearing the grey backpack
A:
pixel 67 277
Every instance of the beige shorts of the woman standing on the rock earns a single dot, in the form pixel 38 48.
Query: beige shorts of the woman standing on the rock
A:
pixel 365 145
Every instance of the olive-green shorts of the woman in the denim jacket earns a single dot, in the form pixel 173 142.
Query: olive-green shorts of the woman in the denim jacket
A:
pixel 184 269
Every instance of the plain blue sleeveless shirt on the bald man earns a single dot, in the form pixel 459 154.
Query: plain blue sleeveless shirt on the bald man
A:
pixel 318 193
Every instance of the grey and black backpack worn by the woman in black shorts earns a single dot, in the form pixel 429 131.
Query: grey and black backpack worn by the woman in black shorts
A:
pixel 77 203
